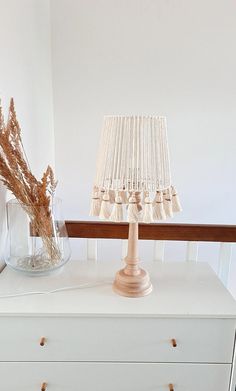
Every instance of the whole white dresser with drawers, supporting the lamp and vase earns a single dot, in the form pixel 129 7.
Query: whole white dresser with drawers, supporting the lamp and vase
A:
pixel 181 337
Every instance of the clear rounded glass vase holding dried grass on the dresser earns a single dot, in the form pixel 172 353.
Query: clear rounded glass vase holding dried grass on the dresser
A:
pixel 37 241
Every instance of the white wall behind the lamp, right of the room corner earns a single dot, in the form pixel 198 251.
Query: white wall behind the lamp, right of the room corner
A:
pixel 175 58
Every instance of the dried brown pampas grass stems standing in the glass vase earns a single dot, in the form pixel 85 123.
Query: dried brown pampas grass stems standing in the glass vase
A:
pixel 34 195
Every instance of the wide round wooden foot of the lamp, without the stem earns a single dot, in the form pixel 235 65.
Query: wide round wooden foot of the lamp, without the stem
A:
pixel 132 285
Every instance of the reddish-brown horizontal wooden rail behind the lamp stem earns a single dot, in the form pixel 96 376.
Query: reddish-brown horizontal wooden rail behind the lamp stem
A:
pixel 182 232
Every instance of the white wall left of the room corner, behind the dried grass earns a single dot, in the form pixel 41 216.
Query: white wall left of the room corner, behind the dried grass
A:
pixel 25 74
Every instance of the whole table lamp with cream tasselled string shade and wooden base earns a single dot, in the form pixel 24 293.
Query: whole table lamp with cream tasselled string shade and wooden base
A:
pixel 133 173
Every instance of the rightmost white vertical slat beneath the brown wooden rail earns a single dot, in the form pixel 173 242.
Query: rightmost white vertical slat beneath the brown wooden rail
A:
pixel 224 262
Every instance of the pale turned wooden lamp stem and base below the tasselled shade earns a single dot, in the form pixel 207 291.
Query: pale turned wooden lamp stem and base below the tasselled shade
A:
pixel 132 281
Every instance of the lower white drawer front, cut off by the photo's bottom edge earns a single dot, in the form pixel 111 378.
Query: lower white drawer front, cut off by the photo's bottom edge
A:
pixel 114 376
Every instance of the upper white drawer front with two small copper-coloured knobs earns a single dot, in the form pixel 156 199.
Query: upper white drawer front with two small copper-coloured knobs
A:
pixel 116 339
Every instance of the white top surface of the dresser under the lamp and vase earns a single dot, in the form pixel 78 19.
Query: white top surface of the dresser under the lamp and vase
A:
pixel 180 289
